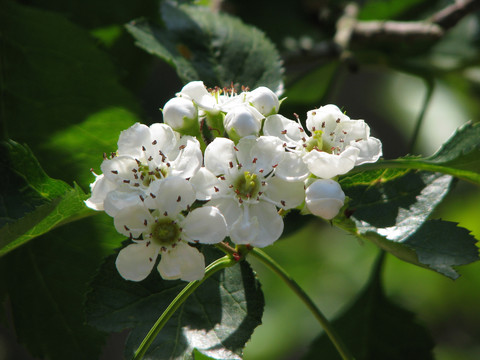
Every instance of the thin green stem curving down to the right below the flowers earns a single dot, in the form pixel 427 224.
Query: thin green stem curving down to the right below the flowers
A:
pixel 329 330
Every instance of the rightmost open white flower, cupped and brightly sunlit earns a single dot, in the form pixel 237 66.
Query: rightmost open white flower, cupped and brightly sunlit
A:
pixel 336 143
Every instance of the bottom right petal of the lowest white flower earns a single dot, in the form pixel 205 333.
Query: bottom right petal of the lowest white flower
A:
pixel 182 262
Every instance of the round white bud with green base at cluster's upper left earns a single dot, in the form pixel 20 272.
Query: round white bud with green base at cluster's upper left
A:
pixel 181 115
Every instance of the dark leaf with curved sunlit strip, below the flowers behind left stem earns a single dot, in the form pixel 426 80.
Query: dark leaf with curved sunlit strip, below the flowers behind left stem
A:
pixel 217 319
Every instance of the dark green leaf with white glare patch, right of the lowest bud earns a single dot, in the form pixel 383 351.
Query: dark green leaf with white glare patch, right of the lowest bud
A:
pixel 391 208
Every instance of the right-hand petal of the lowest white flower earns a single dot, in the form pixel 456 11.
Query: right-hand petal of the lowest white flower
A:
pixel 206 225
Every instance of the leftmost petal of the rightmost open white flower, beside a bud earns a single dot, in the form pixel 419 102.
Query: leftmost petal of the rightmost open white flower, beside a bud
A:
pixel 285 129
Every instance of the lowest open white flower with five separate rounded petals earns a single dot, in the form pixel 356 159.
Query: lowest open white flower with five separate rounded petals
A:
pixel 165 230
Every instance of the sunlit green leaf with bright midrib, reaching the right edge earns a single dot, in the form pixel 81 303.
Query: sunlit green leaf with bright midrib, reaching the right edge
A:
pixel 459 156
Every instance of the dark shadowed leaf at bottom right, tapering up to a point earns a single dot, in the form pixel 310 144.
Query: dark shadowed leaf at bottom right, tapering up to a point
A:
pixel 375 328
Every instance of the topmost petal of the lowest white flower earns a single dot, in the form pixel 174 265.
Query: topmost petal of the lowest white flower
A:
pixel 172 194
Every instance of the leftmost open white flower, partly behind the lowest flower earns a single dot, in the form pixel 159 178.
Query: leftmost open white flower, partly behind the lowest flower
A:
pixel 145 155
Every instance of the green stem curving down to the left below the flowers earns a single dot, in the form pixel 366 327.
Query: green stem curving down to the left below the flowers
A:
pixel 211 269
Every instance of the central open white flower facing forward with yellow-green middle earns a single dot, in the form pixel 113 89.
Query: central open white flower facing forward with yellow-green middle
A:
pixel 247 183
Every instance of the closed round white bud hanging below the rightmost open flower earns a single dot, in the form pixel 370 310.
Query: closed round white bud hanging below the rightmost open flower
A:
pixel 324 198
